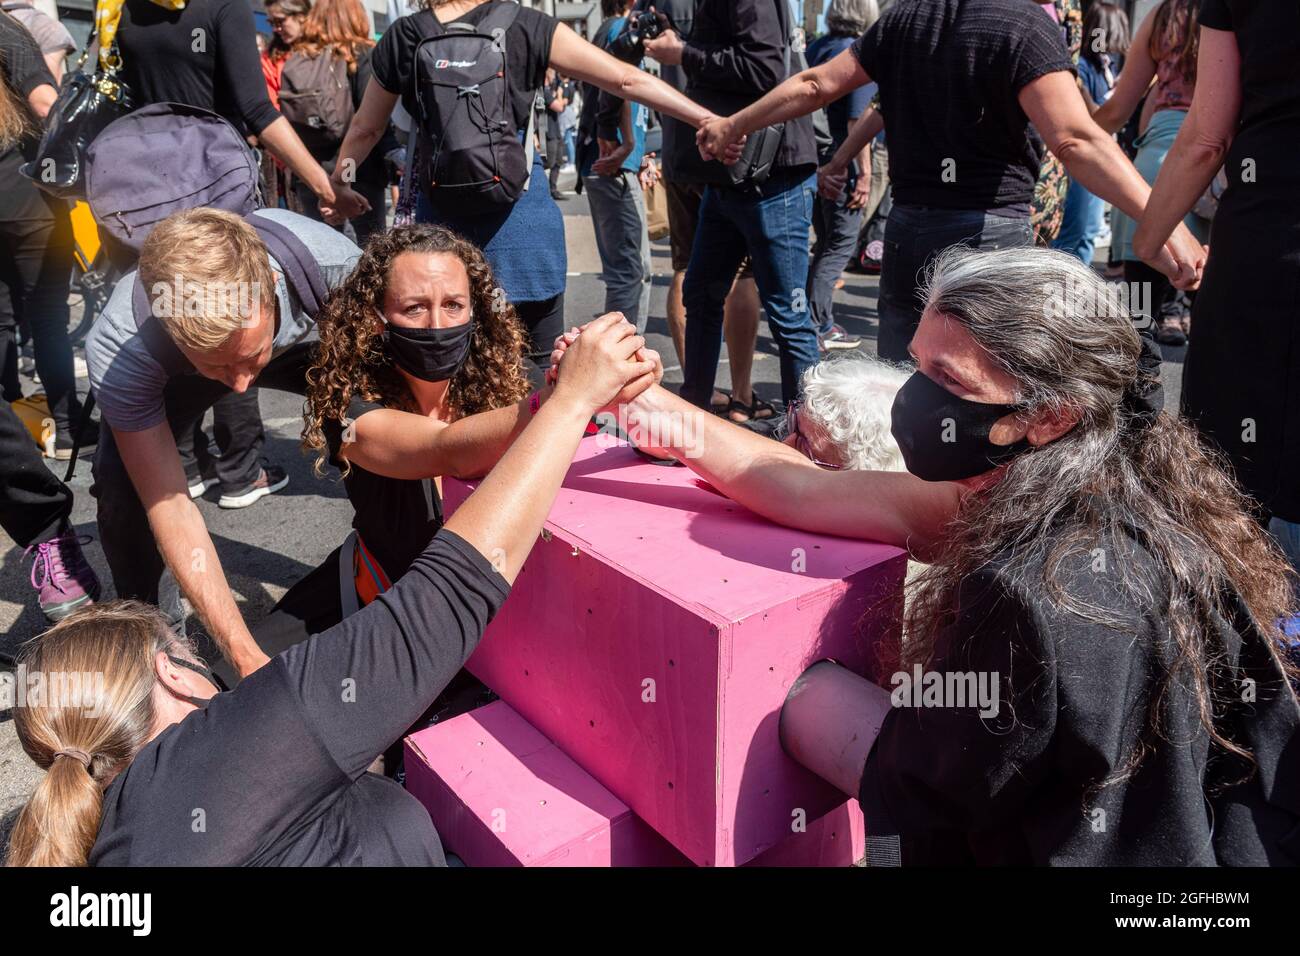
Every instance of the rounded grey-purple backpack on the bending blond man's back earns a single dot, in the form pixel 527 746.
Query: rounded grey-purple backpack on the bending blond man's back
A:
pixel 162 159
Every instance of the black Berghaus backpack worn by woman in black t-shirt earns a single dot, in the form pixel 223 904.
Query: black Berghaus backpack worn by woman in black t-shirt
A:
pixel 471 155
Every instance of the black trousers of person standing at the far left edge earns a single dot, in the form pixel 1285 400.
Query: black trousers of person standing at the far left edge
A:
pixel 36 272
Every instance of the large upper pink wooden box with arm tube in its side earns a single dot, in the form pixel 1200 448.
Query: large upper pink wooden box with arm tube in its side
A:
pixel 655 634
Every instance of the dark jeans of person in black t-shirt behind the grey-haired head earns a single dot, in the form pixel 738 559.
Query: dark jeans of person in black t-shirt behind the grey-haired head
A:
pixel 915 237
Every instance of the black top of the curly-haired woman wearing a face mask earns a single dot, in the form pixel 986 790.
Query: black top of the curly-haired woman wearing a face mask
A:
pixel 395 517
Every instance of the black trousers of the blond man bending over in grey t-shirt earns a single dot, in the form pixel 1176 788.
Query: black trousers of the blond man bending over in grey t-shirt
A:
pixel 133 556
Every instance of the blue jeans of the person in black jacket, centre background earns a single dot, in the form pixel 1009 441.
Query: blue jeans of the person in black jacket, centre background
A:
pixel 772 227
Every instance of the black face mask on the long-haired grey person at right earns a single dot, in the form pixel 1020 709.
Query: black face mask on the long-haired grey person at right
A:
pixel 944 438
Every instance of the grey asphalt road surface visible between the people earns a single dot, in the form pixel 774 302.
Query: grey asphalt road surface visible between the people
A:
pixel 270 546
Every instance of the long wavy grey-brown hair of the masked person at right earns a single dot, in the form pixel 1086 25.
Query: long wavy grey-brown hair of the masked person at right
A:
pixel 1065 338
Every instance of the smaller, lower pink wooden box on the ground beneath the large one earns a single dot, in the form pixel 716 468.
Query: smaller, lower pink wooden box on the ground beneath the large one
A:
pixel 502 795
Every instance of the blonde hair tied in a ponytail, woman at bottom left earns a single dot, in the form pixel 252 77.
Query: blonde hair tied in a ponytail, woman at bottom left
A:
pixel 93 716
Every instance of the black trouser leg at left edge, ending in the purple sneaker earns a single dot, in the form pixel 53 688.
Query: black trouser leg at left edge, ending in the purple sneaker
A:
pixel 33 503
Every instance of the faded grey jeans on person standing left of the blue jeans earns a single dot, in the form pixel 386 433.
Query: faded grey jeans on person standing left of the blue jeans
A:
pixel 619 219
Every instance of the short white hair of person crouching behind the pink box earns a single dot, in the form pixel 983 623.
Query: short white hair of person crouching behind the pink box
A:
pixel 851 401
